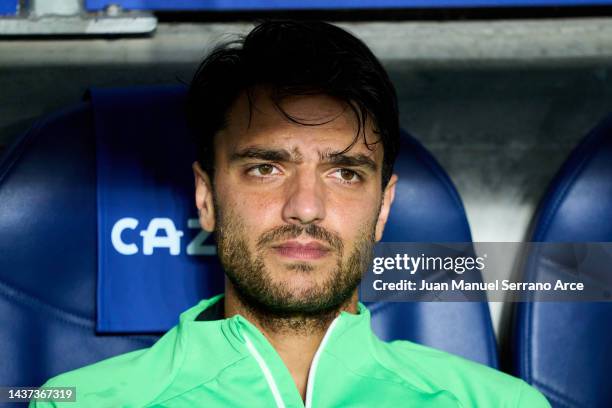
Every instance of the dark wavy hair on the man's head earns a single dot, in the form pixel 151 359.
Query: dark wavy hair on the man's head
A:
pixel 294 58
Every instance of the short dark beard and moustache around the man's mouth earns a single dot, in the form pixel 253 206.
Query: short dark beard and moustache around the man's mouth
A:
pixel 274 301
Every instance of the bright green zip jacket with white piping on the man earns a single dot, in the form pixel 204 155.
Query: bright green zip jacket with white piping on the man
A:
pixel 229 363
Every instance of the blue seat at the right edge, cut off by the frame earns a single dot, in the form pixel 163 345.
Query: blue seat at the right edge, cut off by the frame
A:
pixel 564 348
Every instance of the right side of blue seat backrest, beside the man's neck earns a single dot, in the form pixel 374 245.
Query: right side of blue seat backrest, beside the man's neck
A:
pixel 427 208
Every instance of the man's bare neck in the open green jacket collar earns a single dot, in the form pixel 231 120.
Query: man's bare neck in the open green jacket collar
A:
pixel 295 338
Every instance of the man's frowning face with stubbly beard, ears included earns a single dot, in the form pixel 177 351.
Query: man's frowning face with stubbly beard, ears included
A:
pixel 295 220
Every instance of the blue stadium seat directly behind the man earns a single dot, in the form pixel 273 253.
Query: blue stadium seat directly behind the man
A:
pixel 48 248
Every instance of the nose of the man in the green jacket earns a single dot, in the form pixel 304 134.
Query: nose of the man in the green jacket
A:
pixel 305 201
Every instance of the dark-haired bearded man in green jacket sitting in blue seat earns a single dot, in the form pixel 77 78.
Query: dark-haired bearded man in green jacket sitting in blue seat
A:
pixel 298 130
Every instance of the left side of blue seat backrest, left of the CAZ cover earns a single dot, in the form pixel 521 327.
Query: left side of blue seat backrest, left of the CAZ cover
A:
pixel 48 253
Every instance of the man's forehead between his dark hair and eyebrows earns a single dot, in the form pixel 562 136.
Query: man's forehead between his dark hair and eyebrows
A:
pixel 306 124
